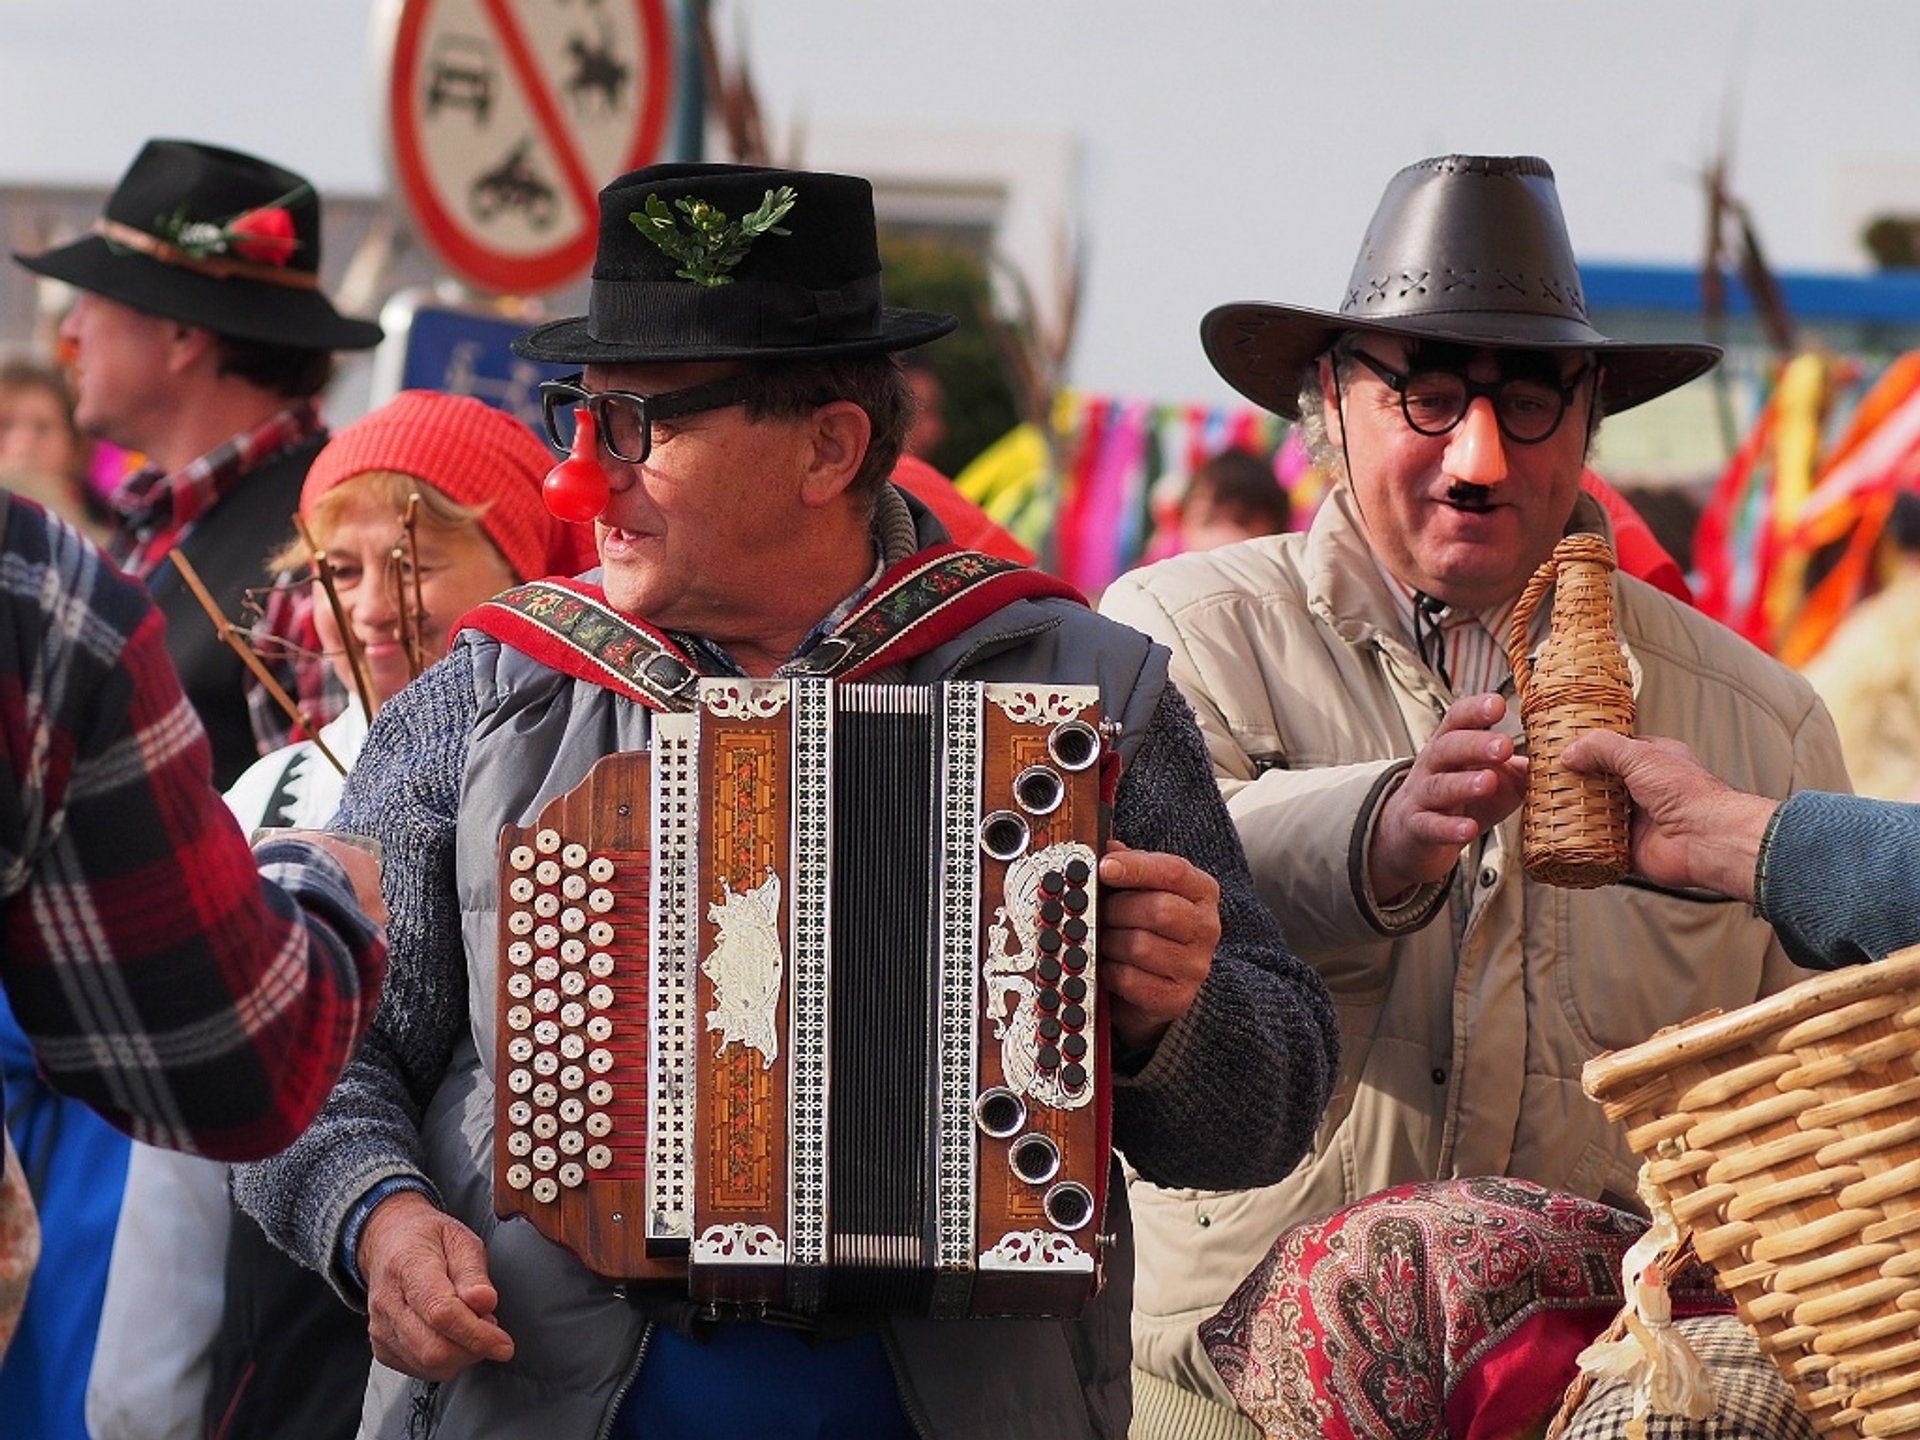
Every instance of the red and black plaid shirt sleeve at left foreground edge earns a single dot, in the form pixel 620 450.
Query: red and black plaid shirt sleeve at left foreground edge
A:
pixel 158 978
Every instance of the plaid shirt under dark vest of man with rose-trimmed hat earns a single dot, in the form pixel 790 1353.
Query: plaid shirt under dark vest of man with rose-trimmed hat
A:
pixel 156 510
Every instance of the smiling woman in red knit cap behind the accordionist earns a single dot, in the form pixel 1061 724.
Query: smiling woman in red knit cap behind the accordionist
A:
pixel 206 1330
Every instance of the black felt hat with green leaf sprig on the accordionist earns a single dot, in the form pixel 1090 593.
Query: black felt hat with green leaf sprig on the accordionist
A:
pixel 732 262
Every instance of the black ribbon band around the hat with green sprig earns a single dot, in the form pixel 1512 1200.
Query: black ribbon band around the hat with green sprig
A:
pixel 750 314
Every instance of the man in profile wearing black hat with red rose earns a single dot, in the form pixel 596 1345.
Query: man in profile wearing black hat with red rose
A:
pixel 203 341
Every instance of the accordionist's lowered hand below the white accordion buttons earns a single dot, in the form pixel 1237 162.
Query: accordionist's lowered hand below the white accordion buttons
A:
pixel 429 1299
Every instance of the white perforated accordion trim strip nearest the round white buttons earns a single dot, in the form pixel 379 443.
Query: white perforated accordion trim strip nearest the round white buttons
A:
pixel 673 940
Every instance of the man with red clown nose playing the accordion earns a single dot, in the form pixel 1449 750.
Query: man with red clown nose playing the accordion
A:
pixel 732 431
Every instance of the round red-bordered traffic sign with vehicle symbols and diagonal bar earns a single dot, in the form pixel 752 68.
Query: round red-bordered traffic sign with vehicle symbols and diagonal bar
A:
pixel 508 116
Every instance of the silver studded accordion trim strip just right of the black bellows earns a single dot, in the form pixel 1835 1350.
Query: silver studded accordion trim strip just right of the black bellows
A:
pixel 959 955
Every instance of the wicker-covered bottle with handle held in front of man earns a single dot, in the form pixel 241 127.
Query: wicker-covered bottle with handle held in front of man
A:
pixel 1573 828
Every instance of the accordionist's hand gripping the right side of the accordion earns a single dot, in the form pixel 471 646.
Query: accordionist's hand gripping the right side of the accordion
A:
pixel 1159 930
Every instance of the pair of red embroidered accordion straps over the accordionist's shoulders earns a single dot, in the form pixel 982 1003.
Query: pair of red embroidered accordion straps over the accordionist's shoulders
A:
pixel 921 604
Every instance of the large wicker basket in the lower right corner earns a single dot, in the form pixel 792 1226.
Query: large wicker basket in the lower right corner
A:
pixel 1788 1138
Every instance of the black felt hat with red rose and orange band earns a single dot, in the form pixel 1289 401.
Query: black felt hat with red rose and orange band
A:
pixel 214 239
